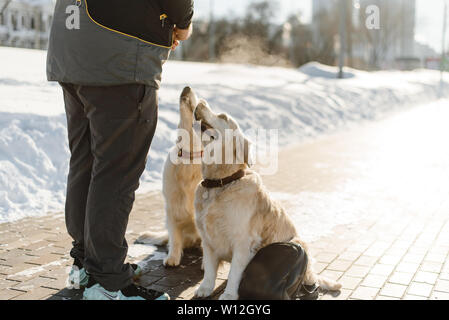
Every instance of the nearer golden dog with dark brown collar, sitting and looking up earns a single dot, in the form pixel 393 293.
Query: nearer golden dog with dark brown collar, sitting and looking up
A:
pixel 233 211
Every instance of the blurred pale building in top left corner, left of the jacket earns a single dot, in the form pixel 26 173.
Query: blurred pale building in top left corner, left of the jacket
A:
pixel 25 23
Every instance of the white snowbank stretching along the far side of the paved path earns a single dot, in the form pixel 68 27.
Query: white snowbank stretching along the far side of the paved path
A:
pixel 300 103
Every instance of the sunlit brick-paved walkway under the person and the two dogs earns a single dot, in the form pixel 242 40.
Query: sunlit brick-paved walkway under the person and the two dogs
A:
pixel 385 184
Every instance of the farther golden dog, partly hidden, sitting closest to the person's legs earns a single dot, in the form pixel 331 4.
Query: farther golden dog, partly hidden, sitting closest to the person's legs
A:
pixel 182 173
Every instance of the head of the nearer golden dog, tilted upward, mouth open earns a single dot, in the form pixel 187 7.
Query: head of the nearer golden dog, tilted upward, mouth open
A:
pixel 222 131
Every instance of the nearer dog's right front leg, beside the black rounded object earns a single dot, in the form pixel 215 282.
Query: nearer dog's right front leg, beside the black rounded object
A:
pixel 240 260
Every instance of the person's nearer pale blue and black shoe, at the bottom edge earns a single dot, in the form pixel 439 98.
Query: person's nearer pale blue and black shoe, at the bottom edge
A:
pixel 131 292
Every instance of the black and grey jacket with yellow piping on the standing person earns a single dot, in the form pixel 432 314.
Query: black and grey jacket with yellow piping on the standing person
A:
pixel 117 42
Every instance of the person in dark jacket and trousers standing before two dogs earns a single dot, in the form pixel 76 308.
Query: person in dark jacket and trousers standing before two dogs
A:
pixel 108 56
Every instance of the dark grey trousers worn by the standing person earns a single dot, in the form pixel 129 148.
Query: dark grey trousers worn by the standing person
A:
pixel 110 130
